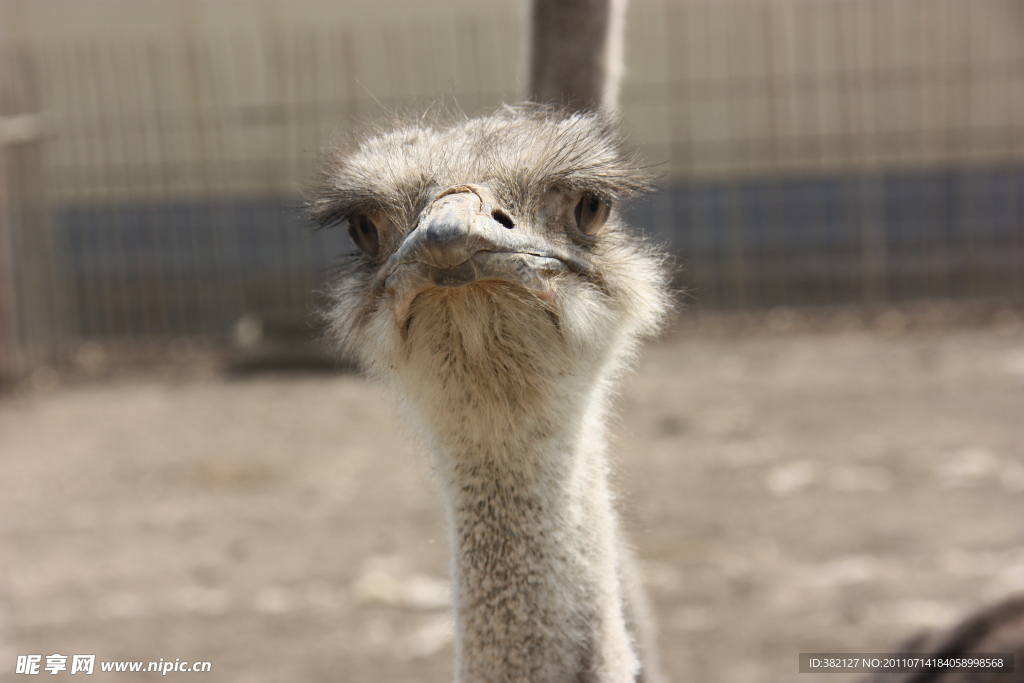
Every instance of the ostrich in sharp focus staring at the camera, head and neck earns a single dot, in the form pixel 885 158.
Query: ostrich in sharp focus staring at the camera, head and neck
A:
pixel 497 289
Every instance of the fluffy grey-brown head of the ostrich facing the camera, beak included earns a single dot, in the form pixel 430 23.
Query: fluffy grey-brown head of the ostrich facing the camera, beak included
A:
pixel 492 255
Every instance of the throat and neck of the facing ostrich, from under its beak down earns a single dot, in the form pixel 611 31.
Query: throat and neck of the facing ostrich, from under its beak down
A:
pixel 514 411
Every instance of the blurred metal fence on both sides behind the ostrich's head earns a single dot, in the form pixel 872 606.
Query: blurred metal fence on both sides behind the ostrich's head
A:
pixel 815 153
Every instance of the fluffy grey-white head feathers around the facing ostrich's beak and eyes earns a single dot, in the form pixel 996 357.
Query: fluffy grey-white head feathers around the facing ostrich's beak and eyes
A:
pixel 536 161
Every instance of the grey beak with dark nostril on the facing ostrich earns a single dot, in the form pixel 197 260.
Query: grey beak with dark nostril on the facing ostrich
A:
pixel 464 237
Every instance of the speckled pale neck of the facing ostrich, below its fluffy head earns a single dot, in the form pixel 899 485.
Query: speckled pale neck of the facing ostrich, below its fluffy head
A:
pixel 536 554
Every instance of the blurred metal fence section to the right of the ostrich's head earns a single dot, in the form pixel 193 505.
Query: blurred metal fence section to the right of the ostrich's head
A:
pixel 836 152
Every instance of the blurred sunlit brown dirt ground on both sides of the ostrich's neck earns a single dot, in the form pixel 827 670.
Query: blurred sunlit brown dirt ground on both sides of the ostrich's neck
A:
pixel 788 492
